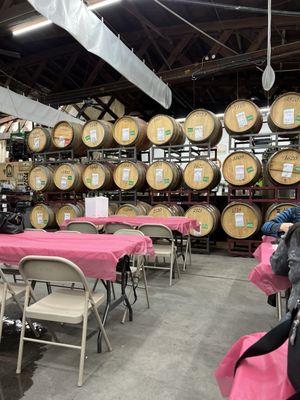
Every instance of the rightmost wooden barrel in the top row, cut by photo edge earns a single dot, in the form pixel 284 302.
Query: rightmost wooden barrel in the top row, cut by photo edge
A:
pixel 285 113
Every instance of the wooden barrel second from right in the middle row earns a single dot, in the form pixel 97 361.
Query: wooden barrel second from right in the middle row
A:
pixel 242 168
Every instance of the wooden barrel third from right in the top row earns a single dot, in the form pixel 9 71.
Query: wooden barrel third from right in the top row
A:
pixel 203 128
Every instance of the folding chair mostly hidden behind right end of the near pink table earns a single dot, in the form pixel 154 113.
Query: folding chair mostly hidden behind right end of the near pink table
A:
pixel 137 269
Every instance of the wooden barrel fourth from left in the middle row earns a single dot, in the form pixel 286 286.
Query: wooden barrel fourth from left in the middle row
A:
pixel 130 175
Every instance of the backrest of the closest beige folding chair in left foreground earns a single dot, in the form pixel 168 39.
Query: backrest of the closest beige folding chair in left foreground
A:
pixel 51 269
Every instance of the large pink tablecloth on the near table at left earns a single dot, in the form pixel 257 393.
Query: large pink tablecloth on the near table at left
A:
pixel 96 255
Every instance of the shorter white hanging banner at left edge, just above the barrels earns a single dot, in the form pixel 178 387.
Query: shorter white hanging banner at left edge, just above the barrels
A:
pixel 15 104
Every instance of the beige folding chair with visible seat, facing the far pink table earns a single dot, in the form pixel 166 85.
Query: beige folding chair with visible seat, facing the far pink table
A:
pixel 164 248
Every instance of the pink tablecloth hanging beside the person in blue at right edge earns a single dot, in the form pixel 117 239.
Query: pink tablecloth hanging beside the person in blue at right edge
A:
pixel 262 275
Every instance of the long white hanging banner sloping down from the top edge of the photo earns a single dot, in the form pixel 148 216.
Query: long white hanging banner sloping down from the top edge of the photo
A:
pixel 93 34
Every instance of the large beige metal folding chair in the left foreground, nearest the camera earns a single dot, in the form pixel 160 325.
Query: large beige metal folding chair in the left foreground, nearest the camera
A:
pixel 63 305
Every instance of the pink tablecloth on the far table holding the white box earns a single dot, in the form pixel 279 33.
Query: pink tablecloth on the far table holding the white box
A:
pixel 180 224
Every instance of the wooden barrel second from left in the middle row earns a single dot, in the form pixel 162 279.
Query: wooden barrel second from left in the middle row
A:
pixel 68 177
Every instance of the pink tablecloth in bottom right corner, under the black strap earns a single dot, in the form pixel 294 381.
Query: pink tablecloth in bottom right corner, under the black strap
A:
pixel 257 378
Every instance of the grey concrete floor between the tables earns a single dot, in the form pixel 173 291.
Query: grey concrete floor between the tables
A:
pixel 169 352
